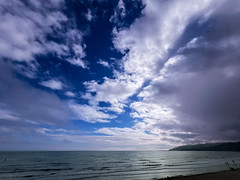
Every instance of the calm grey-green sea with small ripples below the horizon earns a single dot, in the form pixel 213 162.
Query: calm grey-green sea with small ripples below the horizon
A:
pixel 111 165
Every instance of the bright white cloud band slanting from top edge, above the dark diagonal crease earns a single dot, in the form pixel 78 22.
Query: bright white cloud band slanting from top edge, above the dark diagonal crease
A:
pixel 148 41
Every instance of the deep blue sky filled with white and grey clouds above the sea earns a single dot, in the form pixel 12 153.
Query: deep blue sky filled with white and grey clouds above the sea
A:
pixel 118 75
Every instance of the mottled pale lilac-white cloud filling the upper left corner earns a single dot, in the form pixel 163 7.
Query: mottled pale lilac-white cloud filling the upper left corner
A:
pixel 23 29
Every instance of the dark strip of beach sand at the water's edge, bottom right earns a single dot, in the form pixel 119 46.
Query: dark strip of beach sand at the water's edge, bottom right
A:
pixel 224 175
